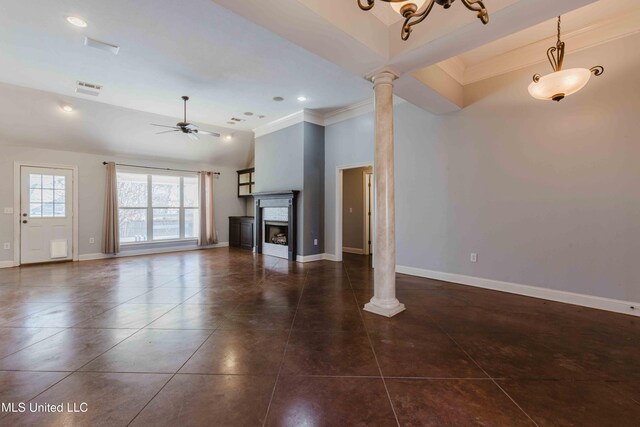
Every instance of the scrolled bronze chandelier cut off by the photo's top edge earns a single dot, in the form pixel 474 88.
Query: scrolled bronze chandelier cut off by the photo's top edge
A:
pixel 414 12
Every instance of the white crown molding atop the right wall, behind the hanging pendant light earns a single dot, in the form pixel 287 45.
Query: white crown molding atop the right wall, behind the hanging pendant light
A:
pixel 534 53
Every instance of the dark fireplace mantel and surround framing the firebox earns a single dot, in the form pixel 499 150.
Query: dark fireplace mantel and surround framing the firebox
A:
pixel 277 199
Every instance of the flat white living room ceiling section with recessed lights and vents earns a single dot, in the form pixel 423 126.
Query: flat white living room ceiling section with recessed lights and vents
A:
pixel 169 48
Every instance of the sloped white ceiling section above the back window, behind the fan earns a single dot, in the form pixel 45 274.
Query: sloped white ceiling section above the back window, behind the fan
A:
pixel 34 118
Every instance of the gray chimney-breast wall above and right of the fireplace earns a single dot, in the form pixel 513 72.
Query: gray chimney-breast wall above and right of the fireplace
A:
pixel 293 159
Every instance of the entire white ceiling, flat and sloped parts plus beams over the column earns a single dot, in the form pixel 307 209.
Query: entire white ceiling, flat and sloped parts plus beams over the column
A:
pixel 231 57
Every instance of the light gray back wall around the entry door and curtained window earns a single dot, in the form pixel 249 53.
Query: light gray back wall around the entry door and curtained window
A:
pixel 91 183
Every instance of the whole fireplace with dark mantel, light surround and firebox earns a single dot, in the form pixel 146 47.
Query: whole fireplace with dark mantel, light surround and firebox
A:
pixel 276 224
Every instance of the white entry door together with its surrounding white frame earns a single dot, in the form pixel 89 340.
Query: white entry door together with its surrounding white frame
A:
pixel 45 213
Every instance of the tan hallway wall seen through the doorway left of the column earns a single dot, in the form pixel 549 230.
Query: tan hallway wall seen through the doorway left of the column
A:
pixel 353 208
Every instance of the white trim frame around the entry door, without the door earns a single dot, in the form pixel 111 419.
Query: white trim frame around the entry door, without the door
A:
pixel 17 165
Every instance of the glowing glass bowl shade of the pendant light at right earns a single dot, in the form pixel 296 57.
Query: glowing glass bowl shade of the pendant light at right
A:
pixel 557 85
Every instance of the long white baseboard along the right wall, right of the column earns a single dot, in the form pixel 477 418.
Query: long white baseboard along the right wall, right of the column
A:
pixel 617 306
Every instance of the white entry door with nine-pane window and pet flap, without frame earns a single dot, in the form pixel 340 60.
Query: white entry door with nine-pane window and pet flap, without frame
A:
pixel 46 215
